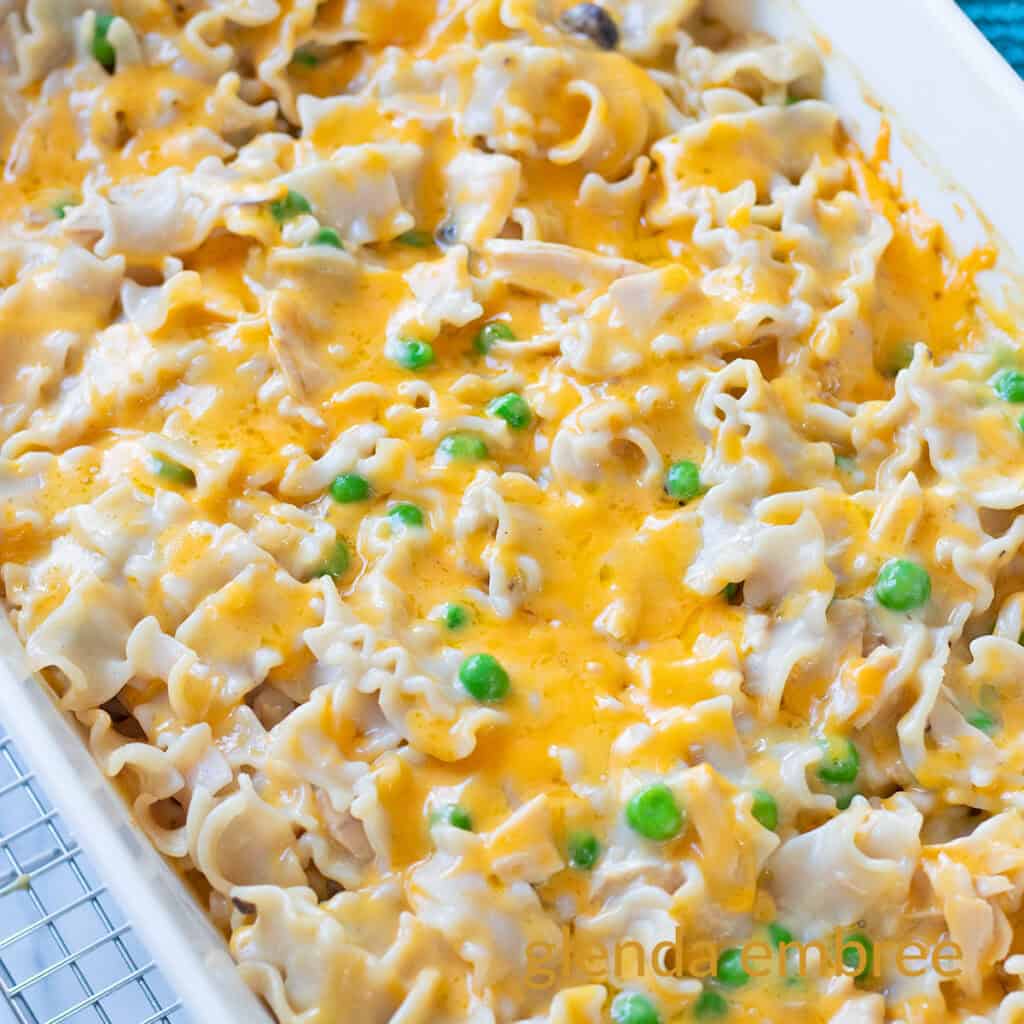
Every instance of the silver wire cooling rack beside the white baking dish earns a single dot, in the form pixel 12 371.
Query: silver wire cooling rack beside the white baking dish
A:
pixel 68 956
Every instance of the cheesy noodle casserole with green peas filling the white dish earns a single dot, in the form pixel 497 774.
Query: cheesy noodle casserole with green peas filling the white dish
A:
pixel 500 479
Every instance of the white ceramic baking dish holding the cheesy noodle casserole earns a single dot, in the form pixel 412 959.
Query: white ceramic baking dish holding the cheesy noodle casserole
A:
pixel 958 117
